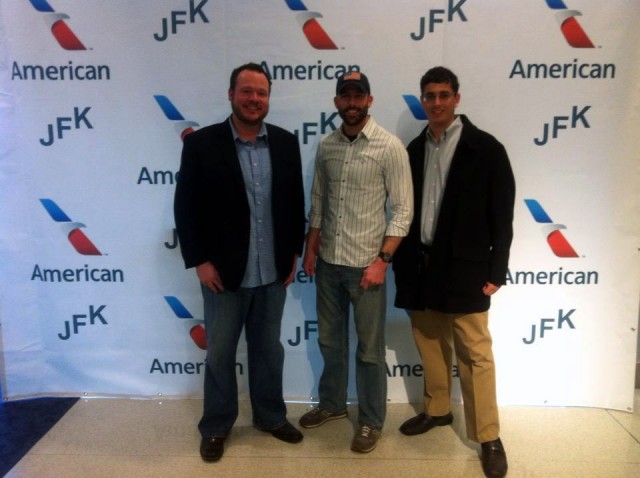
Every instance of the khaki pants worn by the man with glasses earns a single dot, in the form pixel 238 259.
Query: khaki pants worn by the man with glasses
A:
pixel 437 335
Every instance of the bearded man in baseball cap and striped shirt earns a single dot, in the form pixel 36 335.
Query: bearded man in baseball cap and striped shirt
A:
pixel 349 245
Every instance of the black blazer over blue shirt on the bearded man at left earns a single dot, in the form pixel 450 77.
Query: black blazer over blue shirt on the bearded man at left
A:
pixel 212 211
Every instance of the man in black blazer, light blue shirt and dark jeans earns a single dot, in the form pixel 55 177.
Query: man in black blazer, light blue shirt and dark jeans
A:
pixel 239 212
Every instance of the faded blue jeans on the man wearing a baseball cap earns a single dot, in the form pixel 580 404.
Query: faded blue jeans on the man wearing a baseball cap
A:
pixel 337 287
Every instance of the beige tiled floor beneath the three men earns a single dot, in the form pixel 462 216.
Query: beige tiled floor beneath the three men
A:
pixel 151 438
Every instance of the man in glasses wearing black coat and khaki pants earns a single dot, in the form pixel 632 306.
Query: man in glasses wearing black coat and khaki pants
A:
pixel 453 260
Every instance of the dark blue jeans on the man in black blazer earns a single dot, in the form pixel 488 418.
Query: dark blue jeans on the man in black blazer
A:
pixel 259 310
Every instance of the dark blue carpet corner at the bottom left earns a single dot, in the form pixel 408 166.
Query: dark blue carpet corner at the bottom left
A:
pixel 24 422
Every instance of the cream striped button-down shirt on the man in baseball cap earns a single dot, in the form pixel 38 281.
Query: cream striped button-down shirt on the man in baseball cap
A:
pixel 353 183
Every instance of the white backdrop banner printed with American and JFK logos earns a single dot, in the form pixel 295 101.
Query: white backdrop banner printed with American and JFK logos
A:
pixel 95 98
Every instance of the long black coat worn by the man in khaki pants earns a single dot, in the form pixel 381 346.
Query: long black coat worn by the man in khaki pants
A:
pixel 473 232
